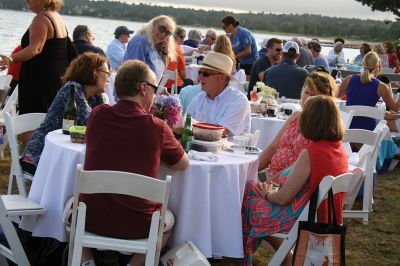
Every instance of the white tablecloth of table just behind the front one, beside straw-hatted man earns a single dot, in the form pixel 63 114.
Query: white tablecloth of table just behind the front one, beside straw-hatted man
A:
pixel 269 128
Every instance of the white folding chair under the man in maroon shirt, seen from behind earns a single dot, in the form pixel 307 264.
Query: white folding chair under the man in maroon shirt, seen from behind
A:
pixel 123 183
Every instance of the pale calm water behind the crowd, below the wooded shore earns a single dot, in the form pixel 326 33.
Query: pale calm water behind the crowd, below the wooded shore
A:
pixel 13 25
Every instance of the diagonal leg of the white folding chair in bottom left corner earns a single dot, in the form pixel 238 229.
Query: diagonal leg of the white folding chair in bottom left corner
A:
pixel 13 240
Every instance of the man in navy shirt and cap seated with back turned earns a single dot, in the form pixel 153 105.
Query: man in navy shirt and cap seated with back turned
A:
pixel 287 77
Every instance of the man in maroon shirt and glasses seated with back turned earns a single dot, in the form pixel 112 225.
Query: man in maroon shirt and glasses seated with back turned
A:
pixel 125 137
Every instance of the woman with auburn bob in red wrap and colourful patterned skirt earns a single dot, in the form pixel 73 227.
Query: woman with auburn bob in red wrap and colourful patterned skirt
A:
pixel 267 210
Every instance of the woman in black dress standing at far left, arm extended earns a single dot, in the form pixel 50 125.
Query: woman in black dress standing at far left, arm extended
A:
pixel 44 56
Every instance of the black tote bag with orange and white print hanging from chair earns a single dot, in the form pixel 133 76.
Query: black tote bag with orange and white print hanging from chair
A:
pixel 317 243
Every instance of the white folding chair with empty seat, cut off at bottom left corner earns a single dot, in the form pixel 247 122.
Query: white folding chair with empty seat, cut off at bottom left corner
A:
pixel 13 207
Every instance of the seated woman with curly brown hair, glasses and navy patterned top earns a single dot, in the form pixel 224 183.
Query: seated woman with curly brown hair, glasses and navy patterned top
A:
pixel 88 75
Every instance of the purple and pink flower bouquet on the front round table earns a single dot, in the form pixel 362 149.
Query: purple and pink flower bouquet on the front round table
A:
pixel 167 108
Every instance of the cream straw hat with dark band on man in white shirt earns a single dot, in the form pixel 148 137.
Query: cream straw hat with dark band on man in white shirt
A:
pixel 217 62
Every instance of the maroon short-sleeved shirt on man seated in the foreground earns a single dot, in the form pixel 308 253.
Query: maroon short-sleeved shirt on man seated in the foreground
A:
pixel 124 137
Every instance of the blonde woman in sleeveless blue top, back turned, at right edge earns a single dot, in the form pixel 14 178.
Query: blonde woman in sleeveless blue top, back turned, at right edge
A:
pixel 366 89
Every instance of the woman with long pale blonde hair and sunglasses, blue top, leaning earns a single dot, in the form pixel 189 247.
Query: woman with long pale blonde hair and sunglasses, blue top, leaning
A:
pixel 154 44
